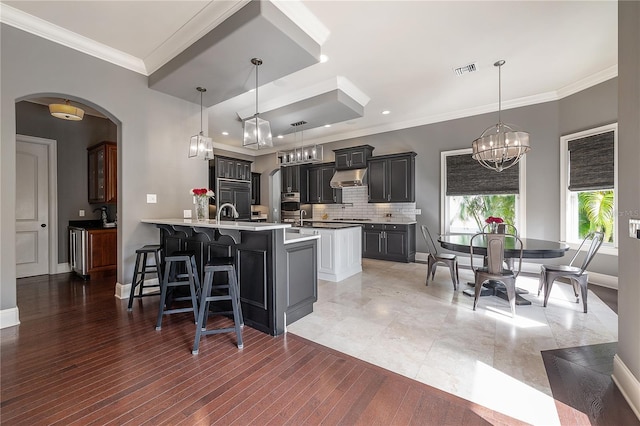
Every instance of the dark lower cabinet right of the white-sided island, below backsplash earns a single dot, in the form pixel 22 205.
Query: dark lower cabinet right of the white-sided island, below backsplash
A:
pixel 389 242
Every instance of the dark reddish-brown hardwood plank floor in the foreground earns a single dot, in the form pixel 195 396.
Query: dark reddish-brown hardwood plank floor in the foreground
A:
pixel 79 358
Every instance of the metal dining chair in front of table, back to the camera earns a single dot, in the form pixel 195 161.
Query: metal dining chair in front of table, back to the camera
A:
pixel 493 269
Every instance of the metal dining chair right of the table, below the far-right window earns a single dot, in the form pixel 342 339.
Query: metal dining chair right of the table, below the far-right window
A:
pixel 577 275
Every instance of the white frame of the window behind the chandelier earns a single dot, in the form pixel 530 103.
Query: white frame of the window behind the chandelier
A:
pixel 521 198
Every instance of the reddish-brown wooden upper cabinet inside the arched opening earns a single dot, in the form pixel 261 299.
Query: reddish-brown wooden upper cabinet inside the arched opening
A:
pixel 103 173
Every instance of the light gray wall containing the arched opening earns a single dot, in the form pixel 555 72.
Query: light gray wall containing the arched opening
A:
pixel 153 135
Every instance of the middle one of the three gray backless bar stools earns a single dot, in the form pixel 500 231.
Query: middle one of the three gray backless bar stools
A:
pixel 172 279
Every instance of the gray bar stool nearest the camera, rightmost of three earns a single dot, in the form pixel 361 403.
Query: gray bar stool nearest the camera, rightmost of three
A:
pixel 215 293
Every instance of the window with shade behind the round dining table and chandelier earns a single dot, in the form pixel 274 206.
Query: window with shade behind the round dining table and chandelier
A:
pixel 470 193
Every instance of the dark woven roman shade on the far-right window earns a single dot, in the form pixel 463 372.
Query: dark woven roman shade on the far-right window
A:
pixel 592 162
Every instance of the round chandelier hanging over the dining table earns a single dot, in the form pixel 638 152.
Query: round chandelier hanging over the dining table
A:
pixel 500 146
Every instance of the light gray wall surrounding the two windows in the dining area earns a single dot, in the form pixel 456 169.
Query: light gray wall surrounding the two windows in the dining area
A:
pixel 545 123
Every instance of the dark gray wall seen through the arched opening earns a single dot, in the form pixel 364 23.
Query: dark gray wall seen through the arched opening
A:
pixel 73 138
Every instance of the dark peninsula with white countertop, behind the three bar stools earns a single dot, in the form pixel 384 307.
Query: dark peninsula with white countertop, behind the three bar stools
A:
pixel 277 270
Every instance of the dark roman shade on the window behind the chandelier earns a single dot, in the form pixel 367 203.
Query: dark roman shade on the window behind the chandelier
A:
pixel 465 176
